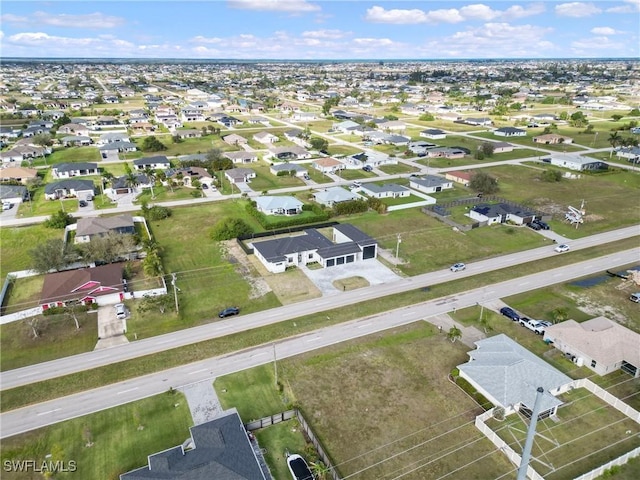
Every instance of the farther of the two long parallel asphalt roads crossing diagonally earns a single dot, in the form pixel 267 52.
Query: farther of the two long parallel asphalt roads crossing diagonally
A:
pixel 85 361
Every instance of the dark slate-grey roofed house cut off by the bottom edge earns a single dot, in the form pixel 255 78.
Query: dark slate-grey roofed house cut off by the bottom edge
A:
pixel 219 449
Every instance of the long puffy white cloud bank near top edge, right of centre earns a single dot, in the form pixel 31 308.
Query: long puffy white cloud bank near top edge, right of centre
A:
pixel 478 11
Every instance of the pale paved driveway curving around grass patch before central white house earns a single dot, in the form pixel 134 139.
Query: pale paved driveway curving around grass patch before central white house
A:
pixel 374 271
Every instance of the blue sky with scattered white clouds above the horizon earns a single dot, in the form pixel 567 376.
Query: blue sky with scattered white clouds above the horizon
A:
pixel 308 29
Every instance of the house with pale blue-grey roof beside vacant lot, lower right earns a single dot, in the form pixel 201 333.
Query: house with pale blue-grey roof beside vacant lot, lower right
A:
pixel 508 375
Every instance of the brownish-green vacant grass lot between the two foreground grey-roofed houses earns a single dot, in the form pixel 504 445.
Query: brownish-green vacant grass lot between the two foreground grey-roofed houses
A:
pixel 382 405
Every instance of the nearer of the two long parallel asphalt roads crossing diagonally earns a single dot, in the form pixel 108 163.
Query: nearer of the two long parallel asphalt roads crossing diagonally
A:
pixel 46 413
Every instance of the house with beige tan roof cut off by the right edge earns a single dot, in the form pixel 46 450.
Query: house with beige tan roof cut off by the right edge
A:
pixel 601 344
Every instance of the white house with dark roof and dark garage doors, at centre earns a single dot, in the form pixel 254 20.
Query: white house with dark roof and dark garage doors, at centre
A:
pixel 349 244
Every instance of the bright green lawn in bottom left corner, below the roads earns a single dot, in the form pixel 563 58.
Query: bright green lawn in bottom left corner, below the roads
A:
pixel 119 445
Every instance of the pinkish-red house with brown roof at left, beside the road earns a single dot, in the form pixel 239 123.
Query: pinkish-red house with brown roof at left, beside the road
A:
pixel 101 285
